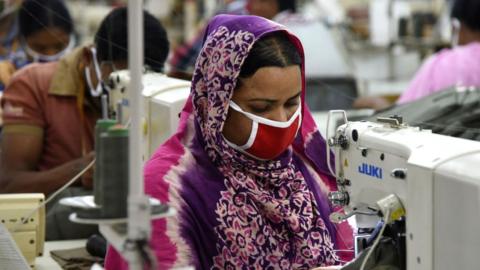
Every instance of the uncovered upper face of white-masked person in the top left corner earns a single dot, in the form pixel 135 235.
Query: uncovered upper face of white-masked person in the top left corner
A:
pixel 49 41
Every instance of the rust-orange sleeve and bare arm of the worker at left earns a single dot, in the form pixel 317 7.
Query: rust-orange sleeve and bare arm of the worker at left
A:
pixel 23 103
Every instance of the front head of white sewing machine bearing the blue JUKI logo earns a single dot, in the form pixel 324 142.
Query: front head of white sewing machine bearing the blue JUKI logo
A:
pixel 369 167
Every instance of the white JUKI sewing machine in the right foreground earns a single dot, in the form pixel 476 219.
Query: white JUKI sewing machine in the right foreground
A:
pixel 436 178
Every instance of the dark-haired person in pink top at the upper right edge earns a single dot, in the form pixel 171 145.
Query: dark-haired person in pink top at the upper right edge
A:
pixel 459 66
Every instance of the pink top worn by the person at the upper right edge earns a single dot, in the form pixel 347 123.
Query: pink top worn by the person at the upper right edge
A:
pixel 447 68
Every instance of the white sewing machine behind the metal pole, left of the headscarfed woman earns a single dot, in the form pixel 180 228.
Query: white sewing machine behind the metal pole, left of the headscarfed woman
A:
pixel 164 98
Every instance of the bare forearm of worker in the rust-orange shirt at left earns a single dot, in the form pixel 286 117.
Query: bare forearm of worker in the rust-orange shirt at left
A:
pixel 18 166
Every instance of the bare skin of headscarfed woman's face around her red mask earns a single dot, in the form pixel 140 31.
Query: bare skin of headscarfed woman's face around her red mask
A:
pixel 272 93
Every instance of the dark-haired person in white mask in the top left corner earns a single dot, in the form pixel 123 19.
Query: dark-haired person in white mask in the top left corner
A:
pixel 45 32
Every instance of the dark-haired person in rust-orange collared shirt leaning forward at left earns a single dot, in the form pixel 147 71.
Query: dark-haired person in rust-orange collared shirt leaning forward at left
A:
pixel 50 110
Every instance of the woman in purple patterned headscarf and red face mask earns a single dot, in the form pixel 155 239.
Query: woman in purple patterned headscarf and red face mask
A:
pixel 246 169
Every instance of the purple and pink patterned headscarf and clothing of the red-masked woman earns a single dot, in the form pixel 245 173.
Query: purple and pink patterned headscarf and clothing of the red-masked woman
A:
pixel 236 212
